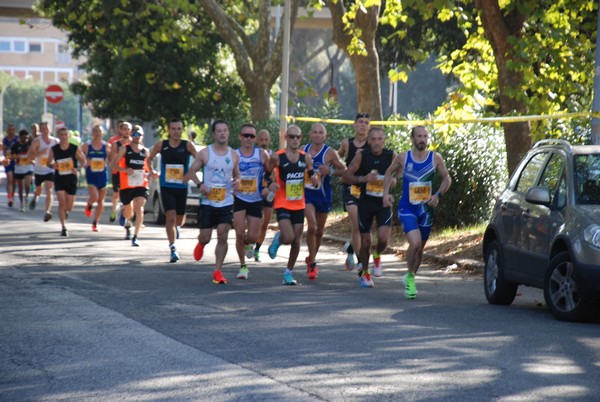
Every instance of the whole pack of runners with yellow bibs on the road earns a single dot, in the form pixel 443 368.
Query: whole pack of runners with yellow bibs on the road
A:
pixel 241 187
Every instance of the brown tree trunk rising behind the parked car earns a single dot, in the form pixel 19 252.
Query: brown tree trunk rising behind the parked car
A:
pixel 499 28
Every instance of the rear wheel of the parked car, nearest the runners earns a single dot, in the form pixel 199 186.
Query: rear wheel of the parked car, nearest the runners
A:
pixel 497 289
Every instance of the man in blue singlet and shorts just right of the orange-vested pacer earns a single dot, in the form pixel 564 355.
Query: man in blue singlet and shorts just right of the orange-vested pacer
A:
pixel 318 199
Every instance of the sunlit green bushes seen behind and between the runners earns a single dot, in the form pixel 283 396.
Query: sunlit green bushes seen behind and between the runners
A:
pixel 475 156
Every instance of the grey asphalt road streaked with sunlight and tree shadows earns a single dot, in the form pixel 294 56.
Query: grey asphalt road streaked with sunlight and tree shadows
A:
pixel 91 318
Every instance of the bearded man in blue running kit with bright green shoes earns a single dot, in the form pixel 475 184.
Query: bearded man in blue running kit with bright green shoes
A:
pixel 418 201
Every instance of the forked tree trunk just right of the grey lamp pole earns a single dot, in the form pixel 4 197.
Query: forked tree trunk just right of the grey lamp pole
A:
pixel 366 67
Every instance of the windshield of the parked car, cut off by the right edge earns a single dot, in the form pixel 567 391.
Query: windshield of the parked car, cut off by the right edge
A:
pixel 587 179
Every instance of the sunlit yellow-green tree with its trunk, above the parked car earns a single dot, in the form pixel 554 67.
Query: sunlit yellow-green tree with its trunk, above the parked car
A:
pixel 518 57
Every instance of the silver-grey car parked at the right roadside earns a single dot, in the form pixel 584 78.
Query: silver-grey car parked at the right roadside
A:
pixel 545 231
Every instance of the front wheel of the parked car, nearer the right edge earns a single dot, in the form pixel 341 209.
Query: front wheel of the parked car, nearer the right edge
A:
pixel 560 290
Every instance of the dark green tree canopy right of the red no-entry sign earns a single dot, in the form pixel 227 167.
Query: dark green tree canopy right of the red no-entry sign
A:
pixel 148 60
